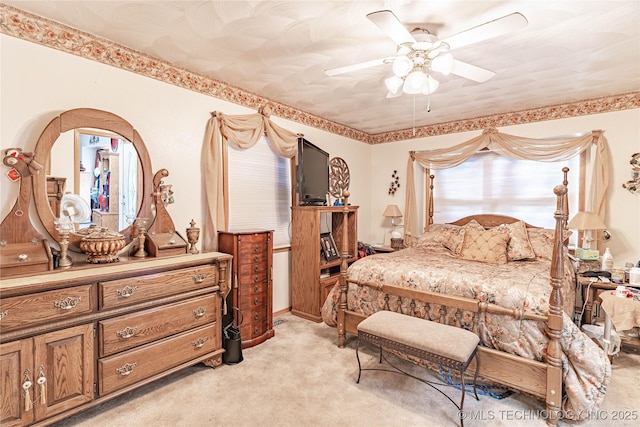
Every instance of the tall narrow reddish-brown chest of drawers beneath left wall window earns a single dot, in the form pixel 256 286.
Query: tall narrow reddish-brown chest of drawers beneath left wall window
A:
pixel 252 283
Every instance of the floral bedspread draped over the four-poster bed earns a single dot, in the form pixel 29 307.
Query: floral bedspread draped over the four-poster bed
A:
pixel 524 284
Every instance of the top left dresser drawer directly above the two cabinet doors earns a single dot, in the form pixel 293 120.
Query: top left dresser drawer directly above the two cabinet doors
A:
pixel 44 307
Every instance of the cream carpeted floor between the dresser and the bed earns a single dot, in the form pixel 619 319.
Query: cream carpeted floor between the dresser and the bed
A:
pixel 300 377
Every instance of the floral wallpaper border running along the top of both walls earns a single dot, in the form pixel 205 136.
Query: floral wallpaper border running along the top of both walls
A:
pixel 23 25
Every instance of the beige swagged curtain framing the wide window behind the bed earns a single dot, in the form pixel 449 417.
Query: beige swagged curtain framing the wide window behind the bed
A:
pixel 517 147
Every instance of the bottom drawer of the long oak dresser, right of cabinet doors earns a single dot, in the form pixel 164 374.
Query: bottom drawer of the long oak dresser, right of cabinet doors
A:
pixel 124 369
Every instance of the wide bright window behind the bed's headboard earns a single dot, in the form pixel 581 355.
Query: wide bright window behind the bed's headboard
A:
pixel 490 183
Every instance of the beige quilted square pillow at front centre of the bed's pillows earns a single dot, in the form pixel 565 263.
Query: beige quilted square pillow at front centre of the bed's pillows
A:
pixel 488 246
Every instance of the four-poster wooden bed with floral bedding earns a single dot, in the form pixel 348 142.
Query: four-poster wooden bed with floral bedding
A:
pixel 539 351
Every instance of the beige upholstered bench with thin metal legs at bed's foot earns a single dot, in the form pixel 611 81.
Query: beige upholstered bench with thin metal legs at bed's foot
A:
pixel 445 345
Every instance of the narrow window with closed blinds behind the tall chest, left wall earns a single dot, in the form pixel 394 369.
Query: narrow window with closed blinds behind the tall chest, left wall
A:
pixel 260 191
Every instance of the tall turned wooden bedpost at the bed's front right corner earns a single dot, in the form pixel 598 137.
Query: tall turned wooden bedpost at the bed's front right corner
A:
pixel 554 323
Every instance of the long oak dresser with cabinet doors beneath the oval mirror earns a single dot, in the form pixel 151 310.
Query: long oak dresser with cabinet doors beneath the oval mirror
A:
pixel 73 339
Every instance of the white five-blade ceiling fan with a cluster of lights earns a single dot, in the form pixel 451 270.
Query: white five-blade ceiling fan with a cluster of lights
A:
pixel 421 53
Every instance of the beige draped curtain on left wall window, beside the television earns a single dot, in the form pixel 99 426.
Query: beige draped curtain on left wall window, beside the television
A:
pixel 244 131
